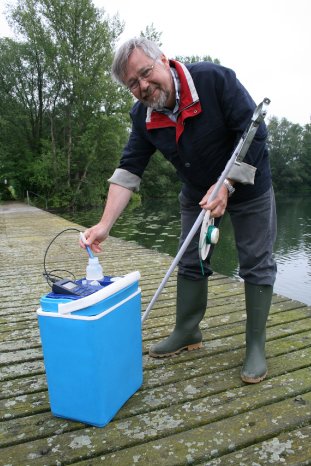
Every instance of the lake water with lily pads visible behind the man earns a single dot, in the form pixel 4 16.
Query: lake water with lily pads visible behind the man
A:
pixel 155 225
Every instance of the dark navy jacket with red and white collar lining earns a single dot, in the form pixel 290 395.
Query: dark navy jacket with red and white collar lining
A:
pixel 215 109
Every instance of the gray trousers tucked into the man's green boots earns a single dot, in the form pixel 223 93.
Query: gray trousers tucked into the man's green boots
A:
pixel 255 226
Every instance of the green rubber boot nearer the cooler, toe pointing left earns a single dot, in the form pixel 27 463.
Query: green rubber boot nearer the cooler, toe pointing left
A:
pixel 190 310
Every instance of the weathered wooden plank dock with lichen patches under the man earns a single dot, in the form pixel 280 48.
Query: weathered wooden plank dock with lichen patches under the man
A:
pixel 191 409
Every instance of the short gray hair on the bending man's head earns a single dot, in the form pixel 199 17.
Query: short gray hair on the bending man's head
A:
pixel 119 65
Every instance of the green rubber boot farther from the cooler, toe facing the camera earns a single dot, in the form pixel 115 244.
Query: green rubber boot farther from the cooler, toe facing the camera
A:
pixel 258 302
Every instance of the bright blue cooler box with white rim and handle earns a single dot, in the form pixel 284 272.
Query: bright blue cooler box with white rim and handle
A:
pixel 92 350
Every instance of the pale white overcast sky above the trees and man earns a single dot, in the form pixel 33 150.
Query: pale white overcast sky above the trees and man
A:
pixel 267 43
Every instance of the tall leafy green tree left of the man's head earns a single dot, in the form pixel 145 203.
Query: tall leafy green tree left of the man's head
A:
pixel 68 97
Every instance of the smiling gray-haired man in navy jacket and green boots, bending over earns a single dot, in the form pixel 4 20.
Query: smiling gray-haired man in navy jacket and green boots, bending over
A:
pixel 194 115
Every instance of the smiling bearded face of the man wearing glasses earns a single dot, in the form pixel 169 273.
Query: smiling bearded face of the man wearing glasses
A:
pixel 150 81
